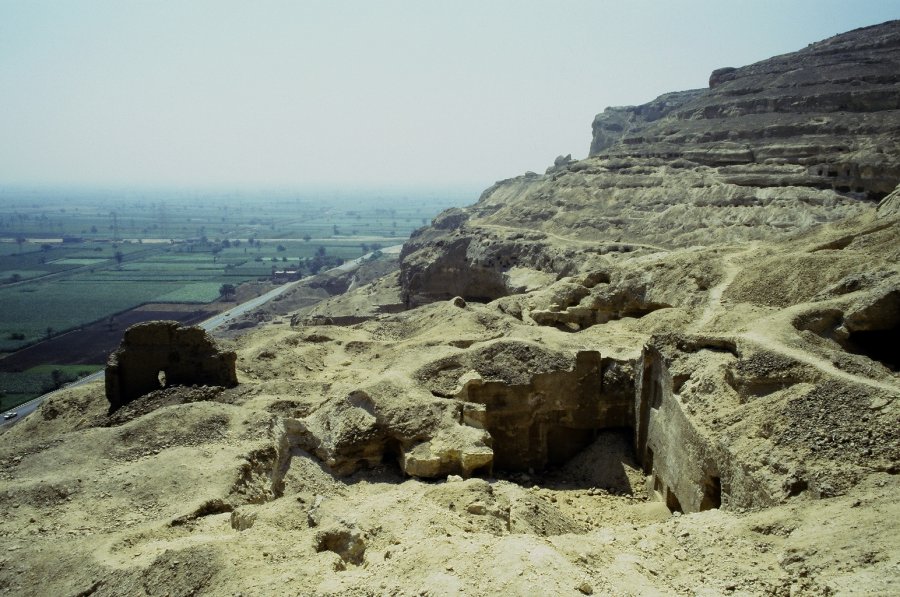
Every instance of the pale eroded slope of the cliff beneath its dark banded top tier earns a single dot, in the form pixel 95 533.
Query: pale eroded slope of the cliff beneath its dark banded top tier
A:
pixel 569 223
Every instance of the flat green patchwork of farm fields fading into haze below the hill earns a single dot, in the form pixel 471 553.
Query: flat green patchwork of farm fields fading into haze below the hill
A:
pixel 76 263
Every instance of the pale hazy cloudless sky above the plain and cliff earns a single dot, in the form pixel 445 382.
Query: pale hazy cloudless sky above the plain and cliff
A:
pixel 356 93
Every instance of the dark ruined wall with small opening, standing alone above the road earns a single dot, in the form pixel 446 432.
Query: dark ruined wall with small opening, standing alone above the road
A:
pixel 164 350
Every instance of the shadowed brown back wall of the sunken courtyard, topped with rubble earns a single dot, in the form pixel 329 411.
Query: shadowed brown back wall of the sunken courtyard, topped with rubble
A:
pixel 539 406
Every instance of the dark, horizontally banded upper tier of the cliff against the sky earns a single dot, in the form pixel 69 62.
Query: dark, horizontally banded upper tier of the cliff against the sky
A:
pixel 831 107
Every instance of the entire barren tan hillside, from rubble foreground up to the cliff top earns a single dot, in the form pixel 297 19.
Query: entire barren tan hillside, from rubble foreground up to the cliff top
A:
pixel 669 368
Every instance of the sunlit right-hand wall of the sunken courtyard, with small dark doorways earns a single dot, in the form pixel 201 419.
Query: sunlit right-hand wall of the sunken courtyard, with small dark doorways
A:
pixel 688 467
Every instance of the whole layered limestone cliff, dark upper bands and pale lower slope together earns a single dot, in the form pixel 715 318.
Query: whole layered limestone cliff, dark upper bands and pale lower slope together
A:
pixel 769 150
